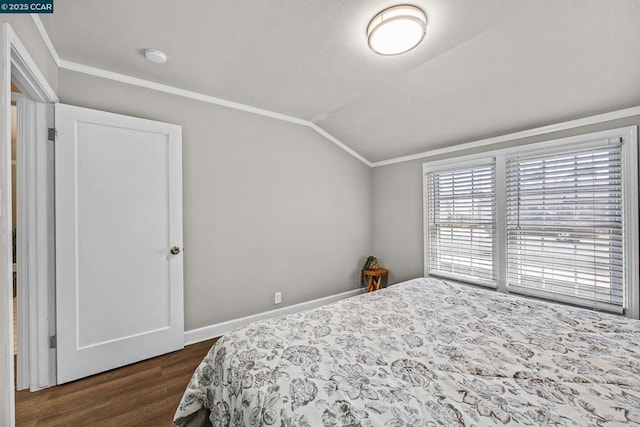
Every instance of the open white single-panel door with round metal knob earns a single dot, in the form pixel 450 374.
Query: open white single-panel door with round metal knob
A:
pixel 118 202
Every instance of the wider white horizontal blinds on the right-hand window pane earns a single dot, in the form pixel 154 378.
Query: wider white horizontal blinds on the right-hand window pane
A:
pixel 564 226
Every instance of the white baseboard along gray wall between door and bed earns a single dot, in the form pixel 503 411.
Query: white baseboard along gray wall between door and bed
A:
pixel 217 330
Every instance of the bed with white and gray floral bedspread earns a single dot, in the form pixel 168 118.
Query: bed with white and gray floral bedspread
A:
pixel 421 353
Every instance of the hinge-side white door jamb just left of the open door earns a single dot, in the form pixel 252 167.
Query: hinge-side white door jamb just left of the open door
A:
pixel 36 247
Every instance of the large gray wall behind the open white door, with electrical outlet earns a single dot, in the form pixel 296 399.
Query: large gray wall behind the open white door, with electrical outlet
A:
pixel 268 205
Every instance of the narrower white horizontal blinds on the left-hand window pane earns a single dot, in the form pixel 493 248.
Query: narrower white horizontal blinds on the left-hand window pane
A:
pixel 461 223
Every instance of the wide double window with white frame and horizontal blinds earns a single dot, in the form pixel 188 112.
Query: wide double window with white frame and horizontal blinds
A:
pixel 556 219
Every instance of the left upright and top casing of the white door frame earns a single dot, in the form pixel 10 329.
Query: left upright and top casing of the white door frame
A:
pixel 15 63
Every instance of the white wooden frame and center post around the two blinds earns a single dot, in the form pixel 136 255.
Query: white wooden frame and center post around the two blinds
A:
pixel 631 250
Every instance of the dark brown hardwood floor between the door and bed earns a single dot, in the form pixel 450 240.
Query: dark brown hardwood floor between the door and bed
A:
pixel 143 394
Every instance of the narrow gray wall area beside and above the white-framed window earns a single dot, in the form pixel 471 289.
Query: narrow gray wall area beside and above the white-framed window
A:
pixel 397 214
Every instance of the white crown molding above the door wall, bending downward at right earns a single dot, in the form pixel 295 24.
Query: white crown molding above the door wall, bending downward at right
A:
pixel 135 81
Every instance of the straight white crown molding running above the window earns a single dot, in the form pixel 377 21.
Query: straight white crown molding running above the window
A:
pixel 614 115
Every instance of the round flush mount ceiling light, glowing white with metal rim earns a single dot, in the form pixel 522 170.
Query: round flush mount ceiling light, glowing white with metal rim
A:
pixel 397 30
